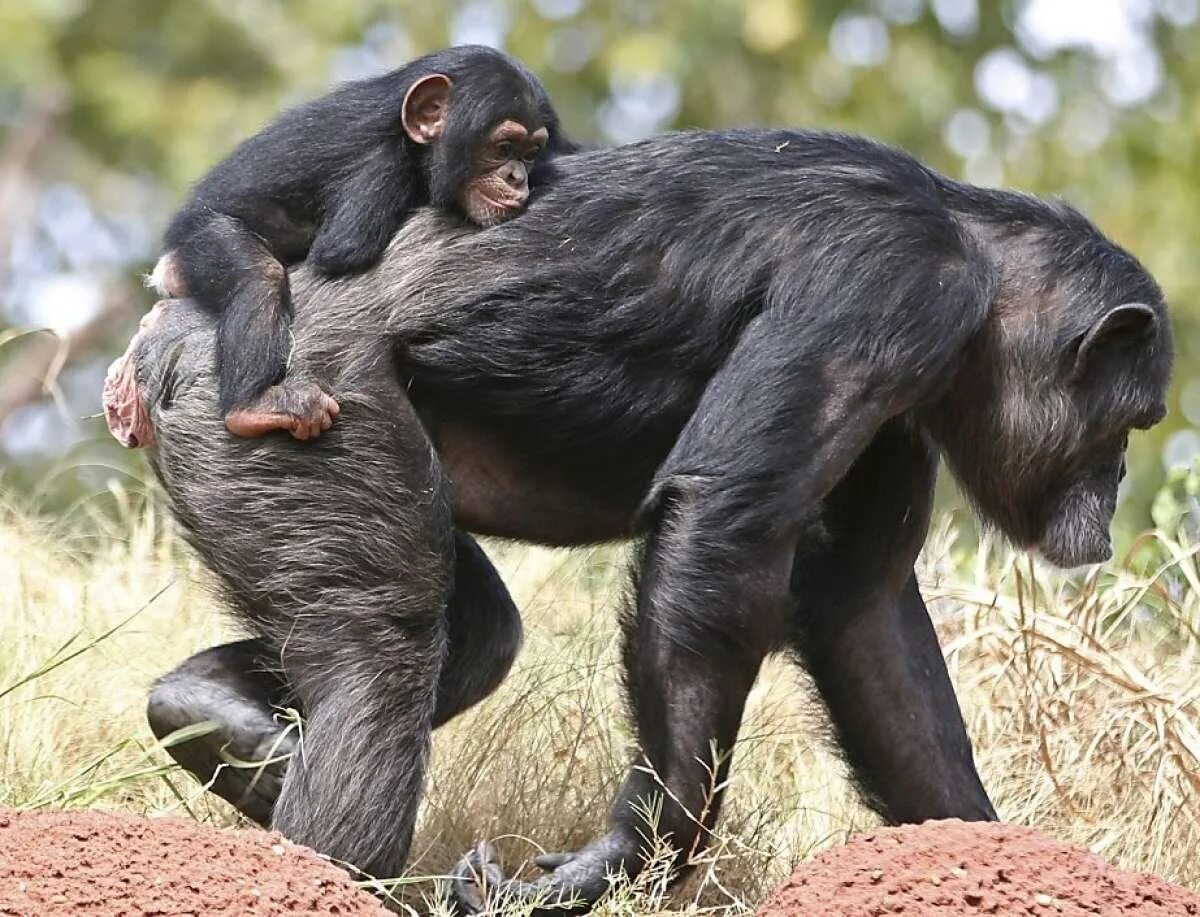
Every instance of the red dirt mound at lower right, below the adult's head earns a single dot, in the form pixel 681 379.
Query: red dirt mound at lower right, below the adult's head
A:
pixel 959 868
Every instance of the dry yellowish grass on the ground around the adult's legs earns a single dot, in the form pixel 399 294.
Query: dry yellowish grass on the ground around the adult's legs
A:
pixel 1082 699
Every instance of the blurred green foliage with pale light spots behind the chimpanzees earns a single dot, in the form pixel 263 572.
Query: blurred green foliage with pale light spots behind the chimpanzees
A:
pixel 154 92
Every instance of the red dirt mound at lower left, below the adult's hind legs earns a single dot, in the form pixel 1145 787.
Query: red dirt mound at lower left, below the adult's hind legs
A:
pixel 99 865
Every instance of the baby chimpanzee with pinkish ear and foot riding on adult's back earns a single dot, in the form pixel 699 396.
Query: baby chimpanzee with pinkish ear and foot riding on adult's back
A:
pixel 331 183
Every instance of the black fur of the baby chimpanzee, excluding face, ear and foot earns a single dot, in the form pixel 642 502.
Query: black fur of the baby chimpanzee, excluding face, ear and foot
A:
pixel 332 182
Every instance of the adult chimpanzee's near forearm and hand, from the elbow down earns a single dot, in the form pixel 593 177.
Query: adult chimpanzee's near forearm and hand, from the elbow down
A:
pixel 705 620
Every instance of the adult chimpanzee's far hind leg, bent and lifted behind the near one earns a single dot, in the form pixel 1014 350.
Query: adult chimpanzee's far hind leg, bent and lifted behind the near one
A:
pixel 241 691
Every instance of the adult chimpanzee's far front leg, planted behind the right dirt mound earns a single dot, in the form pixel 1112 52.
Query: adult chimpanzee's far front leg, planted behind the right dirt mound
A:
pixel 865 636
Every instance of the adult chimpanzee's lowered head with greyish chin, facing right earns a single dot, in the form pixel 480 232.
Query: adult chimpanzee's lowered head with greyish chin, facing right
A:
pixel 1076 355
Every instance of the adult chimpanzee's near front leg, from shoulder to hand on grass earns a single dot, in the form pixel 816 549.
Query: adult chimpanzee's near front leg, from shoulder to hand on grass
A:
pixel 777 429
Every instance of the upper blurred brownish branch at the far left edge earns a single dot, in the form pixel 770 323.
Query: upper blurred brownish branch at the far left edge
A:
pixel 21 164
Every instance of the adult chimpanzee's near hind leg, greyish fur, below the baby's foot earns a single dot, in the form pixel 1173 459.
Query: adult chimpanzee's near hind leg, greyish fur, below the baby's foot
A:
pixel 344 571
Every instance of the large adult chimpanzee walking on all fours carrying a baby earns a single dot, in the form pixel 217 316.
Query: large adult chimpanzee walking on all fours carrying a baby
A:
pixel 746 349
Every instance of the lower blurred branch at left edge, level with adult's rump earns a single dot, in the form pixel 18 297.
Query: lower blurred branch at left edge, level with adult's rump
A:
pixel 33 374
